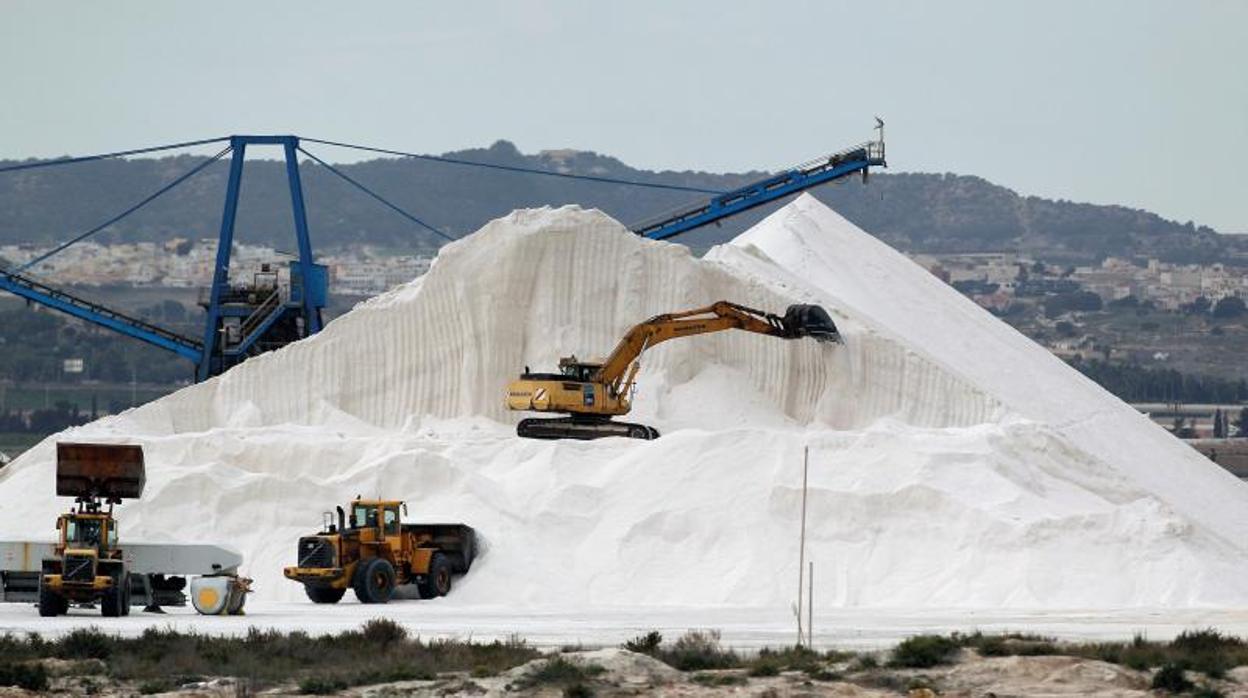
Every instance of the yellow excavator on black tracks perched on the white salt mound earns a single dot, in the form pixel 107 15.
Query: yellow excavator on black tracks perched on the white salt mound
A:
pixel 592 393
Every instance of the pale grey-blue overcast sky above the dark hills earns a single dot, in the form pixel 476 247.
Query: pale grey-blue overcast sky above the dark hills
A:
pixel 1138 103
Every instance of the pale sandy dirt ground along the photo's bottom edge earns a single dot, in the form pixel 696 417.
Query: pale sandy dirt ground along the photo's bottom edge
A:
pixel 618 672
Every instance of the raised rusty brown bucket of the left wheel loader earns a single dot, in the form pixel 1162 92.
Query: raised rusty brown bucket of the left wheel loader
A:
pixel 109 471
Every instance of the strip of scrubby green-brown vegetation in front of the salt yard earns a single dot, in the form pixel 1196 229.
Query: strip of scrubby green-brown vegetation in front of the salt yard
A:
pixel 380 652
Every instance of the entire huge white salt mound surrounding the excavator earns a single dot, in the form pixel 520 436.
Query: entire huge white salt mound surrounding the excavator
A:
pixel 954 464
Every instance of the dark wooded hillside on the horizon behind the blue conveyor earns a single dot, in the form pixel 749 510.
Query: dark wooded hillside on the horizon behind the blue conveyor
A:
pixel 924 213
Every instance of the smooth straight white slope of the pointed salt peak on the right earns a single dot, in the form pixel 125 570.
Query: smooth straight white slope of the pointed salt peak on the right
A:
pixel 831 258
